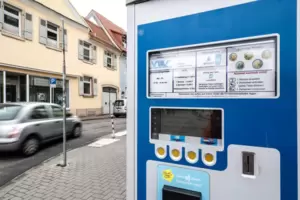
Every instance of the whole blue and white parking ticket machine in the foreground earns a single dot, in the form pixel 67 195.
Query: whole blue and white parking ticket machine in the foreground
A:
pixel 212 100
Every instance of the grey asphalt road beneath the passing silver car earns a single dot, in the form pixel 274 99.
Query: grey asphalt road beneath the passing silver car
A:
pixel 13 164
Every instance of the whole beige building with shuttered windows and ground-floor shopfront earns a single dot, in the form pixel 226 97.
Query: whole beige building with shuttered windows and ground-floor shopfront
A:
pixel 31 38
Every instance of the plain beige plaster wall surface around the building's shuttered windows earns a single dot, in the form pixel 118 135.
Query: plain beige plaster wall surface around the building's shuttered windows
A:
pixel 34 55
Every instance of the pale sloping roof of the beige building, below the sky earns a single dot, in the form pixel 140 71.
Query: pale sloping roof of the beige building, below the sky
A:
pixel 65 8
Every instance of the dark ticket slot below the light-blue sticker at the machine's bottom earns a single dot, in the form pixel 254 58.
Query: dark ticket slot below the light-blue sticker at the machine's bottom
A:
pixel 172 193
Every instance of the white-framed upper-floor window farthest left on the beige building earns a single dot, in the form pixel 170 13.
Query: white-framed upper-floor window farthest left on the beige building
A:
pixel 12 20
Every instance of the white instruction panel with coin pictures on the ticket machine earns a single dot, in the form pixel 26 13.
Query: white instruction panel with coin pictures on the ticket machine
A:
pixel 243 70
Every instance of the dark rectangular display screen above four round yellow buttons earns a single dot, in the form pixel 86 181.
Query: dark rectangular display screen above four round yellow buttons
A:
pixel 203 126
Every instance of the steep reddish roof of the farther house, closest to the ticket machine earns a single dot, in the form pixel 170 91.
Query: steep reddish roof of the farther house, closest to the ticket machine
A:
pixel 114 31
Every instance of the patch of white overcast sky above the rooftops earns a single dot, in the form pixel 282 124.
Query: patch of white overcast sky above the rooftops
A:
pixel 114 10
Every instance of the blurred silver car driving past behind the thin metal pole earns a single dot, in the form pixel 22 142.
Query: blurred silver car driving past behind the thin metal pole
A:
pixel 26 126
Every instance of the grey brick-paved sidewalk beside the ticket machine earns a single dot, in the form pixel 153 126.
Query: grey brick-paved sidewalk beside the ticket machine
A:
pixel 92 173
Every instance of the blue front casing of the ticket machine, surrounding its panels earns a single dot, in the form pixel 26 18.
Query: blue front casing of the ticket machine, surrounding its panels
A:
pixel 268 123
